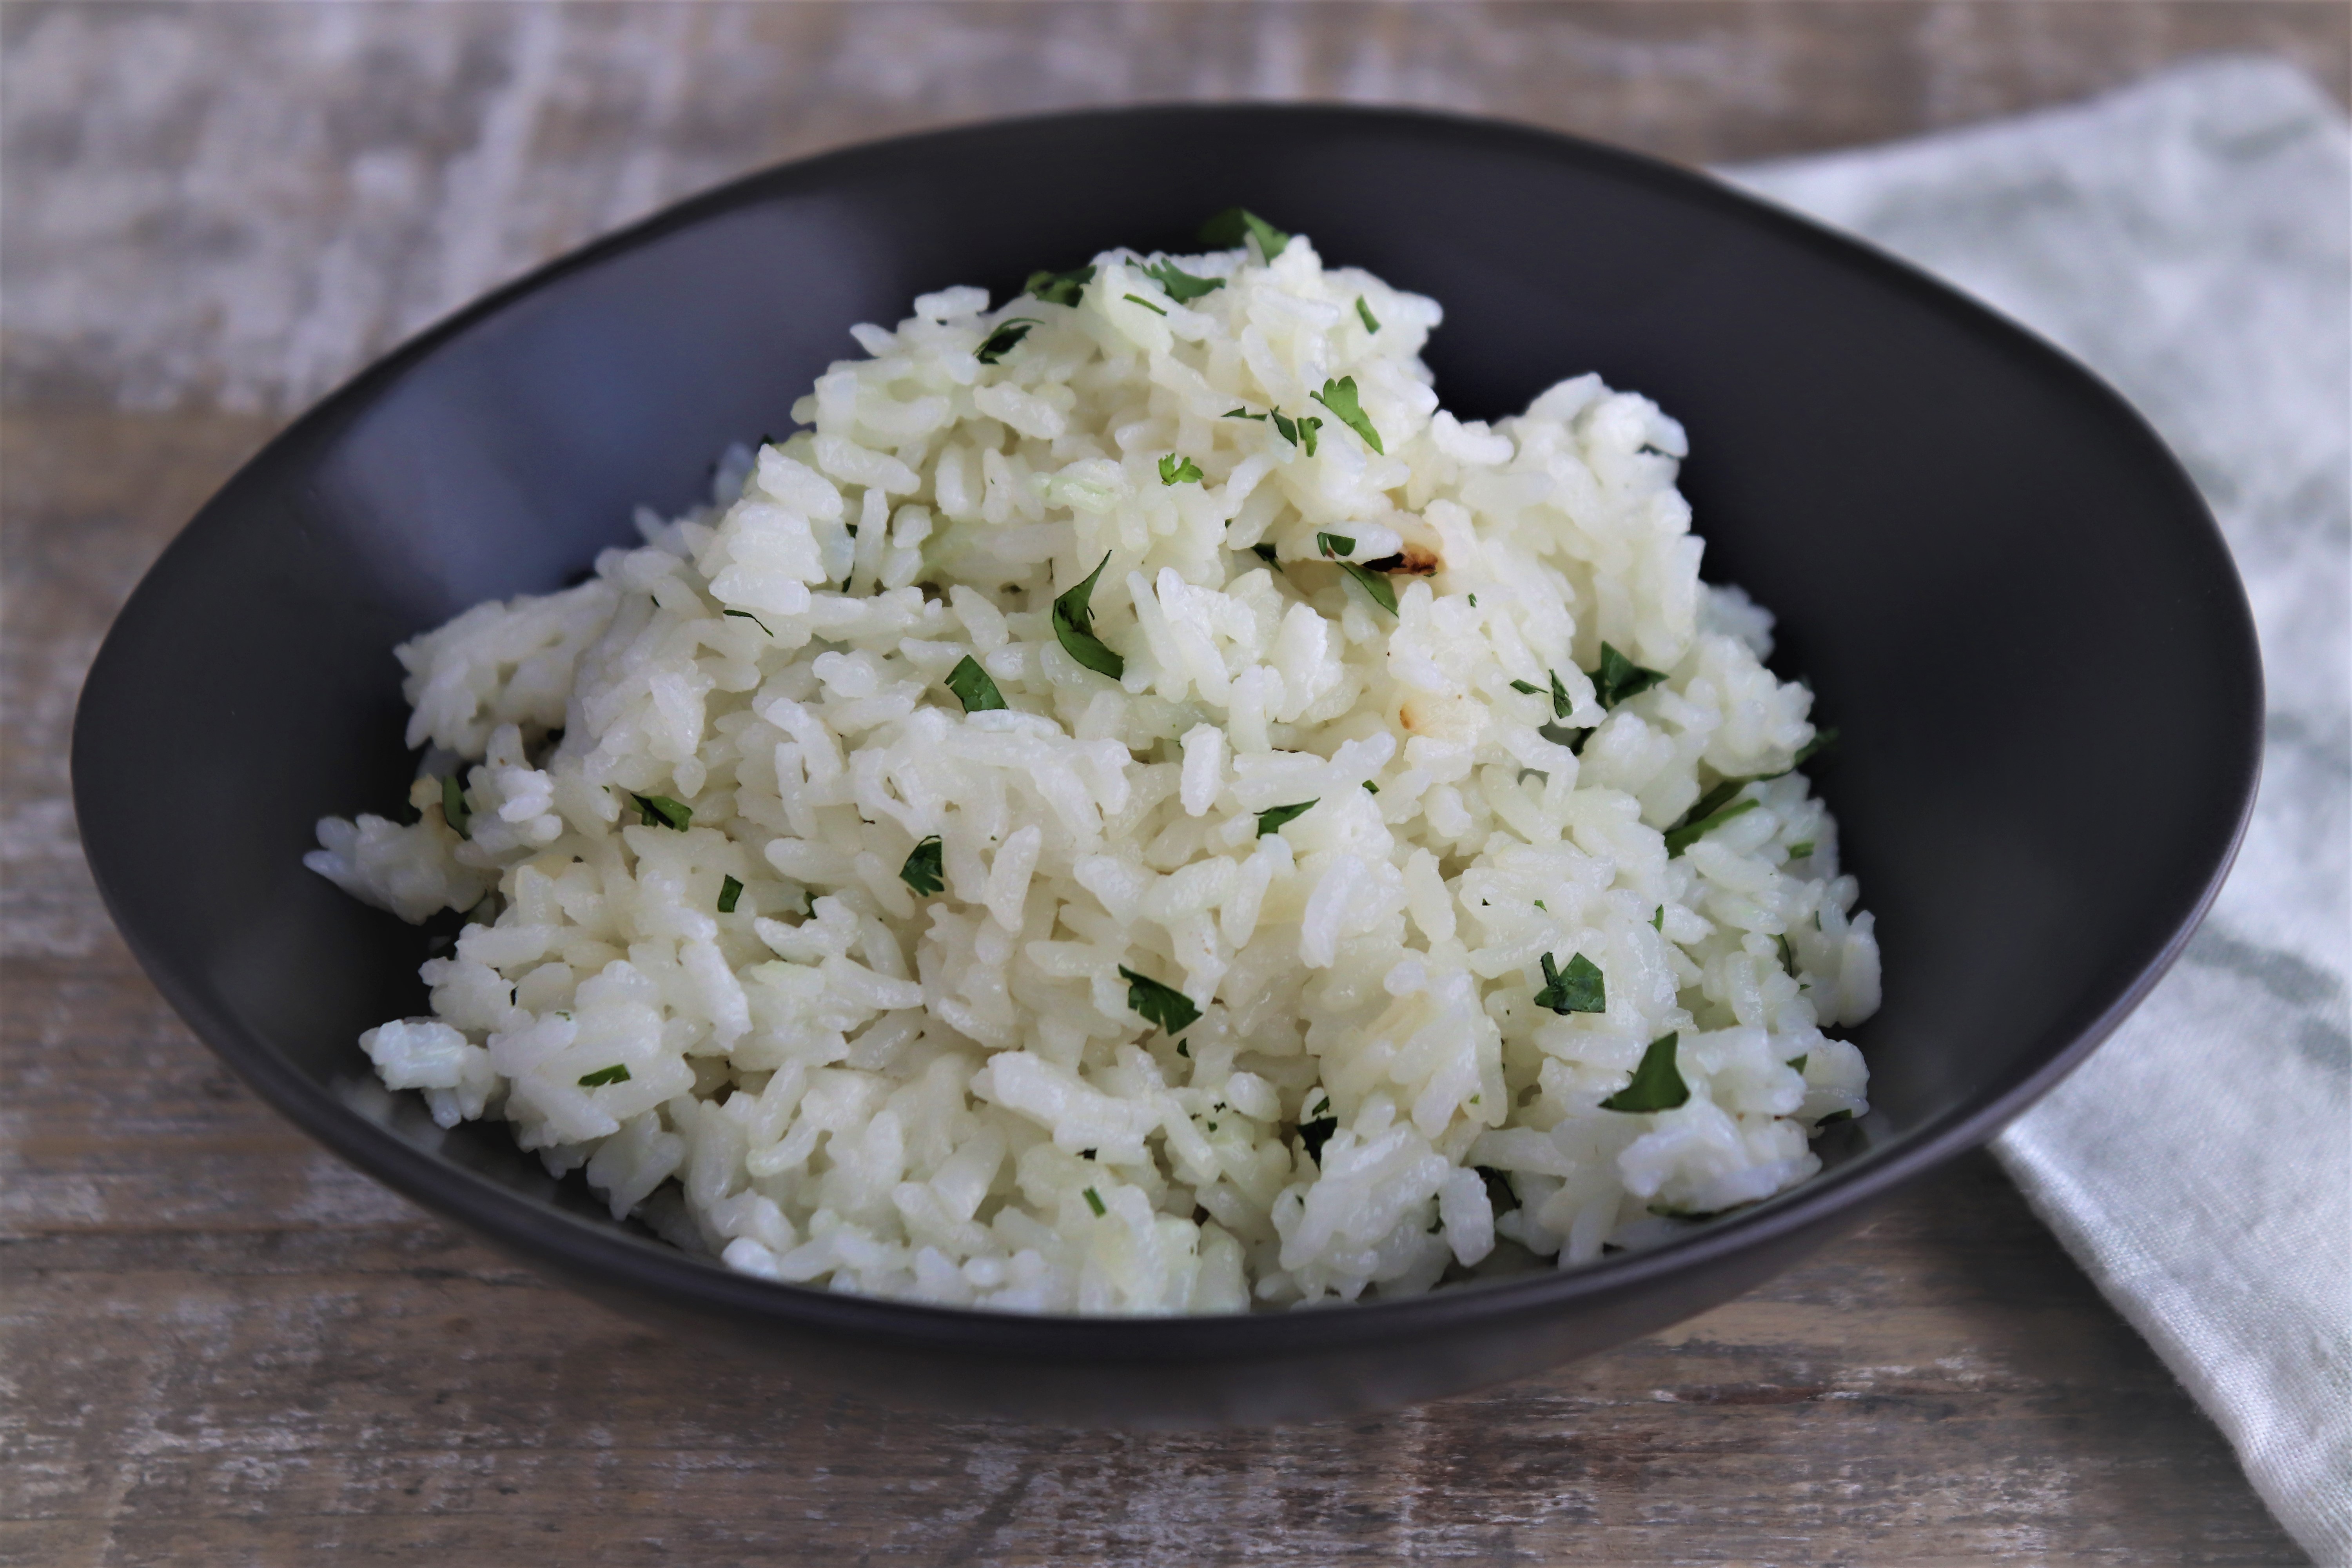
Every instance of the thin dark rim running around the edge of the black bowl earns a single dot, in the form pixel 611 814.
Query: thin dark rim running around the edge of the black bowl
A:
pixel 575 1245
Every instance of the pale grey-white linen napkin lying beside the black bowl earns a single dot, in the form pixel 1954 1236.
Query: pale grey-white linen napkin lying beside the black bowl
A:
pixel 2191 239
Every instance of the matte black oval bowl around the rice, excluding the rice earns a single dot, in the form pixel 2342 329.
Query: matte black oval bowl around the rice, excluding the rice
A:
pixel 1998 579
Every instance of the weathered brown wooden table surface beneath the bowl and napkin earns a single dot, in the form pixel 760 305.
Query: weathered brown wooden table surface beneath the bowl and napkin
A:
pixel 227 1348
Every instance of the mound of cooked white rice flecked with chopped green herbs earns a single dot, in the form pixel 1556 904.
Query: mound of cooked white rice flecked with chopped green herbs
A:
pixel 704 789
